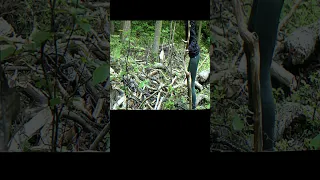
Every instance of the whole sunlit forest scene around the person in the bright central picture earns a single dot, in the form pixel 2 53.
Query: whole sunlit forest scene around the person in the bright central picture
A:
pixel 147 65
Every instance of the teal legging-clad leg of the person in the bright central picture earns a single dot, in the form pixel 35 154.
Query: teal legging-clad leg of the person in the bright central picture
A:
pixel 192 68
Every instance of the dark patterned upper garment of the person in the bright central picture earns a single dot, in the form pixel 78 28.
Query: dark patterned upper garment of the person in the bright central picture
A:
pixel 193 44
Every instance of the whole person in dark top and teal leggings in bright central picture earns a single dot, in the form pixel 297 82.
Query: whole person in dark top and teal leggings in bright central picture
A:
pixel 194 54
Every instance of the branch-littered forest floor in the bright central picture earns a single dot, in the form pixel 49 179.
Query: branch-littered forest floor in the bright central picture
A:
pixel 141 81
